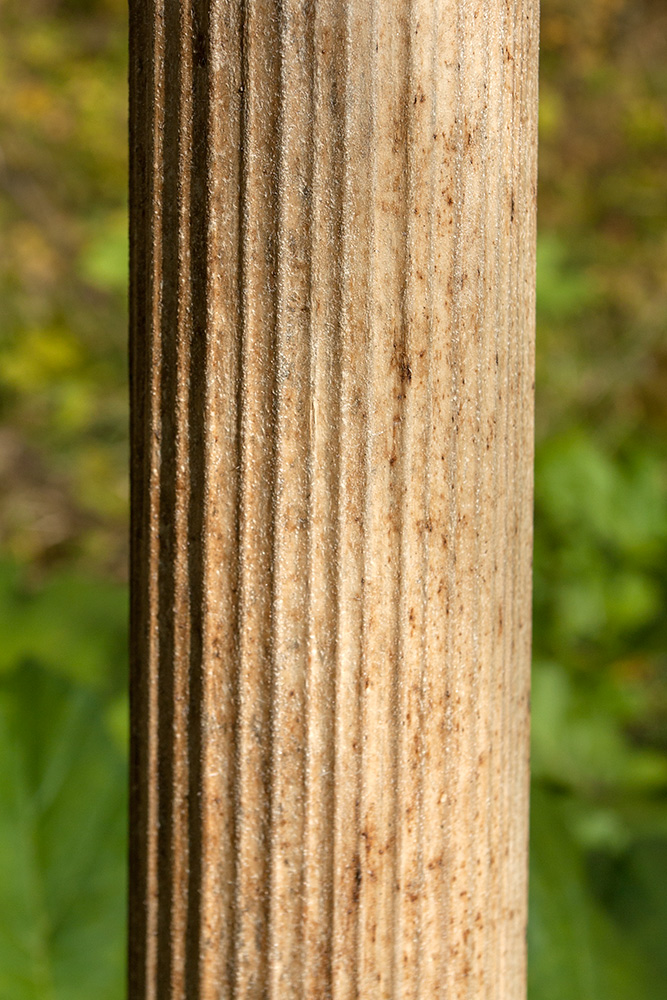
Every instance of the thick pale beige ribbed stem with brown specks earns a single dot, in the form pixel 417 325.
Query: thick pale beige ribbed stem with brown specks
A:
pixel 332 240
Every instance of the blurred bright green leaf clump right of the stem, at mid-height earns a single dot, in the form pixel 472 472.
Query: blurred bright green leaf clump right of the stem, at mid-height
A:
pixel 602 518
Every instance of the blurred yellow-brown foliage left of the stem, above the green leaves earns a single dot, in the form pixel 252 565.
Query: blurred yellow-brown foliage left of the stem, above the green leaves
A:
pixel 63 179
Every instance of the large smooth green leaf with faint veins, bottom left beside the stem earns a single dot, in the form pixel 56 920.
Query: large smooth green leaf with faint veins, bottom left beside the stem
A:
pixel 62 843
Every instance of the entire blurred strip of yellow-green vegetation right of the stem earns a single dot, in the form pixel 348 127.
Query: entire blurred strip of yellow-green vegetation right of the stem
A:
pixel 599 808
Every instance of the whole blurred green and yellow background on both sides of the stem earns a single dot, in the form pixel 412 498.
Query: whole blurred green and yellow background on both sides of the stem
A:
pixel 598 923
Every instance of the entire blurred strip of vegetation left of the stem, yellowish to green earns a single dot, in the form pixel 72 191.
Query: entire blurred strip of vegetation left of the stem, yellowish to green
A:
pixel 63 499
